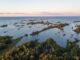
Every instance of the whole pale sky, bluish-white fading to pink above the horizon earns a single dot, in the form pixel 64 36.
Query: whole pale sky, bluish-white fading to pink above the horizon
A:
pixel 39 7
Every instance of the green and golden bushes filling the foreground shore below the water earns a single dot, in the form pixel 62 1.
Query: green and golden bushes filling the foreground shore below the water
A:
pixel 47 50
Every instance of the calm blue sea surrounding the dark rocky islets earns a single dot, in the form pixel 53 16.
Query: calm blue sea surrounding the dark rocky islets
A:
pixel 17 26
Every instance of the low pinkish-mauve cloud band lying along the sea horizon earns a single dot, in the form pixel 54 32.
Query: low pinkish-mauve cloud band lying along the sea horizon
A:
pixel 40 14
